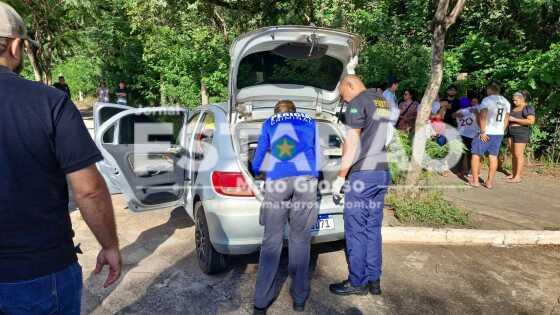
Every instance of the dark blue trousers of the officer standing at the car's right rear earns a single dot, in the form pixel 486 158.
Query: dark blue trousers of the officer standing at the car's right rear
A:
pixel 363 214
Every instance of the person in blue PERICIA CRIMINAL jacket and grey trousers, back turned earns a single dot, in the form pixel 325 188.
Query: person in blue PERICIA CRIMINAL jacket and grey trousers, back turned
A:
pixel 286 154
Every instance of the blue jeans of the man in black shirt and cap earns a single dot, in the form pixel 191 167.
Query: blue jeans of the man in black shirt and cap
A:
pixel 59 293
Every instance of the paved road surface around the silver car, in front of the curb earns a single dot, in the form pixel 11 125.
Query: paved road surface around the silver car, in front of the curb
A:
pixel 162 276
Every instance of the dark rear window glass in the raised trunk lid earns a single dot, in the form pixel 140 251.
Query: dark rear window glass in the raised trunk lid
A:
pixel 268 67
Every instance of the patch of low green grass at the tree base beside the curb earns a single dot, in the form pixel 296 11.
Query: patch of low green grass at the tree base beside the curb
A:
pixel 428 208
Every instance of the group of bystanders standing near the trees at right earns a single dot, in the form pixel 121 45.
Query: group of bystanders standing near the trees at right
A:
pixel 482 126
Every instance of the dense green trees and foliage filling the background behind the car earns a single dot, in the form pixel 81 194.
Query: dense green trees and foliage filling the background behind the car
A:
pixel 167 50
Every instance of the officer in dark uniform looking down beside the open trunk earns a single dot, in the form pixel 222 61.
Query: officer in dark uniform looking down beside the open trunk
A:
pixel 369 120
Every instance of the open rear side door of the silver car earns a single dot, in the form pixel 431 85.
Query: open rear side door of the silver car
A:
pixel 145 148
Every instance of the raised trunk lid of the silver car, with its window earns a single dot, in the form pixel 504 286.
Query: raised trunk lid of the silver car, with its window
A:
pixel 291 62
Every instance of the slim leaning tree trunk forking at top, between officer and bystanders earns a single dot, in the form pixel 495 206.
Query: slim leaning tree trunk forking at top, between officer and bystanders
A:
pixel 442 21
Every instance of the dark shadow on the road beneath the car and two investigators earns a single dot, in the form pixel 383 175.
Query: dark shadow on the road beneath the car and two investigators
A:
pixel 175 291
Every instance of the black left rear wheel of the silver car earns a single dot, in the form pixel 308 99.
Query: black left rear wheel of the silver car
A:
pixel 209 260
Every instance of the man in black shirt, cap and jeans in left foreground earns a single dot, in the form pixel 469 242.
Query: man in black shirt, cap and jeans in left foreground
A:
pixel 44 143
